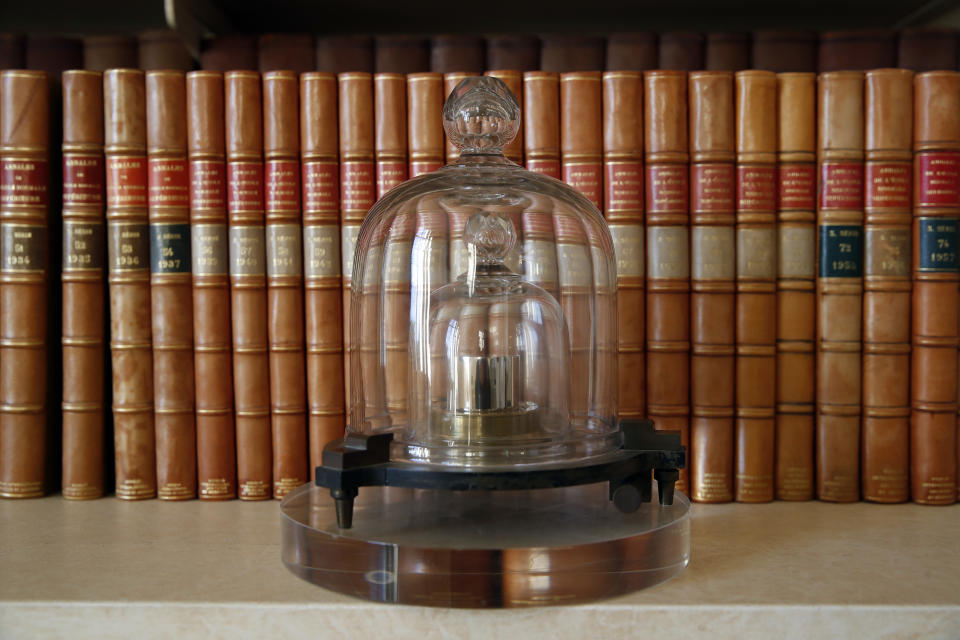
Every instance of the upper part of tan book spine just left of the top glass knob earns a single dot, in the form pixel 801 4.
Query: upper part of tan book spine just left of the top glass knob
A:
pixel 425 122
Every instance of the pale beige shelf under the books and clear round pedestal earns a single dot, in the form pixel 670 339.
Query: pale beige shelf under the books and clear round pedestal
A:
pixel 109 568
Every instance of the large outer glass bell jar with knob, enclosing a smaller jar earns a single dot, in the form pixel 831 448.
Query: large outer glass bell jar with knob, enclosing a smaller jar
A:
pixel 483 307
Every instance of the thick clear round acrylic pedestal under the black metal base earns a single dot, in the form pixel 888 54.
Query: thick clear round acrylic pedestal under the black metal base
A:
pixel 484 549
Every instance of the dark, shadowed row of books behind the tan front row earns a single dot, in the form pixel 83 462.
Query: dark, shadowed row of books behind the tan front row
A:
pixel 919 49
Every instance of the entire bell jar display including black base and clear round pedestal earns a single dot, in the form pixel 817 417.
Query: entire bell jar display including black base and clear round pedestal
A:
pixel 482 428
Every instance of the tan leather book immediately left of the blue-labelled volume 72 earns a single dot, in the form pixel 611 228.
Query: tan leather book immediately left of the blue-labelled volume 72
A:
pixel 796 285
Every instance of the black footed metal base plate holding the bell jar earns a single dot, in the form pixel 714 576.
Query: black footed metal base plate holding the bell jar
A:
pixel 360 460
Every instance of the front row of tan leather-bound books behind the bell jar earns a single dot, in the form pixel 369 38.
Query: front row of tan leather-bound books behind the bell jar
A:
pixel 786 255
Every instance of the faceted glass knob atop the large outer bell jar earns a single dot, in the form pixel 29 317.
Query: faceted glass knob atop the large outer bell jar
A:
pixel 481 115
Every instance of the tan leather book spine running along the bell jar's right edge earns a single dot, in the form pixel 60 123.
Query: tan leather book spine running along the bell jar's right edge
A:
pixel 623 210
